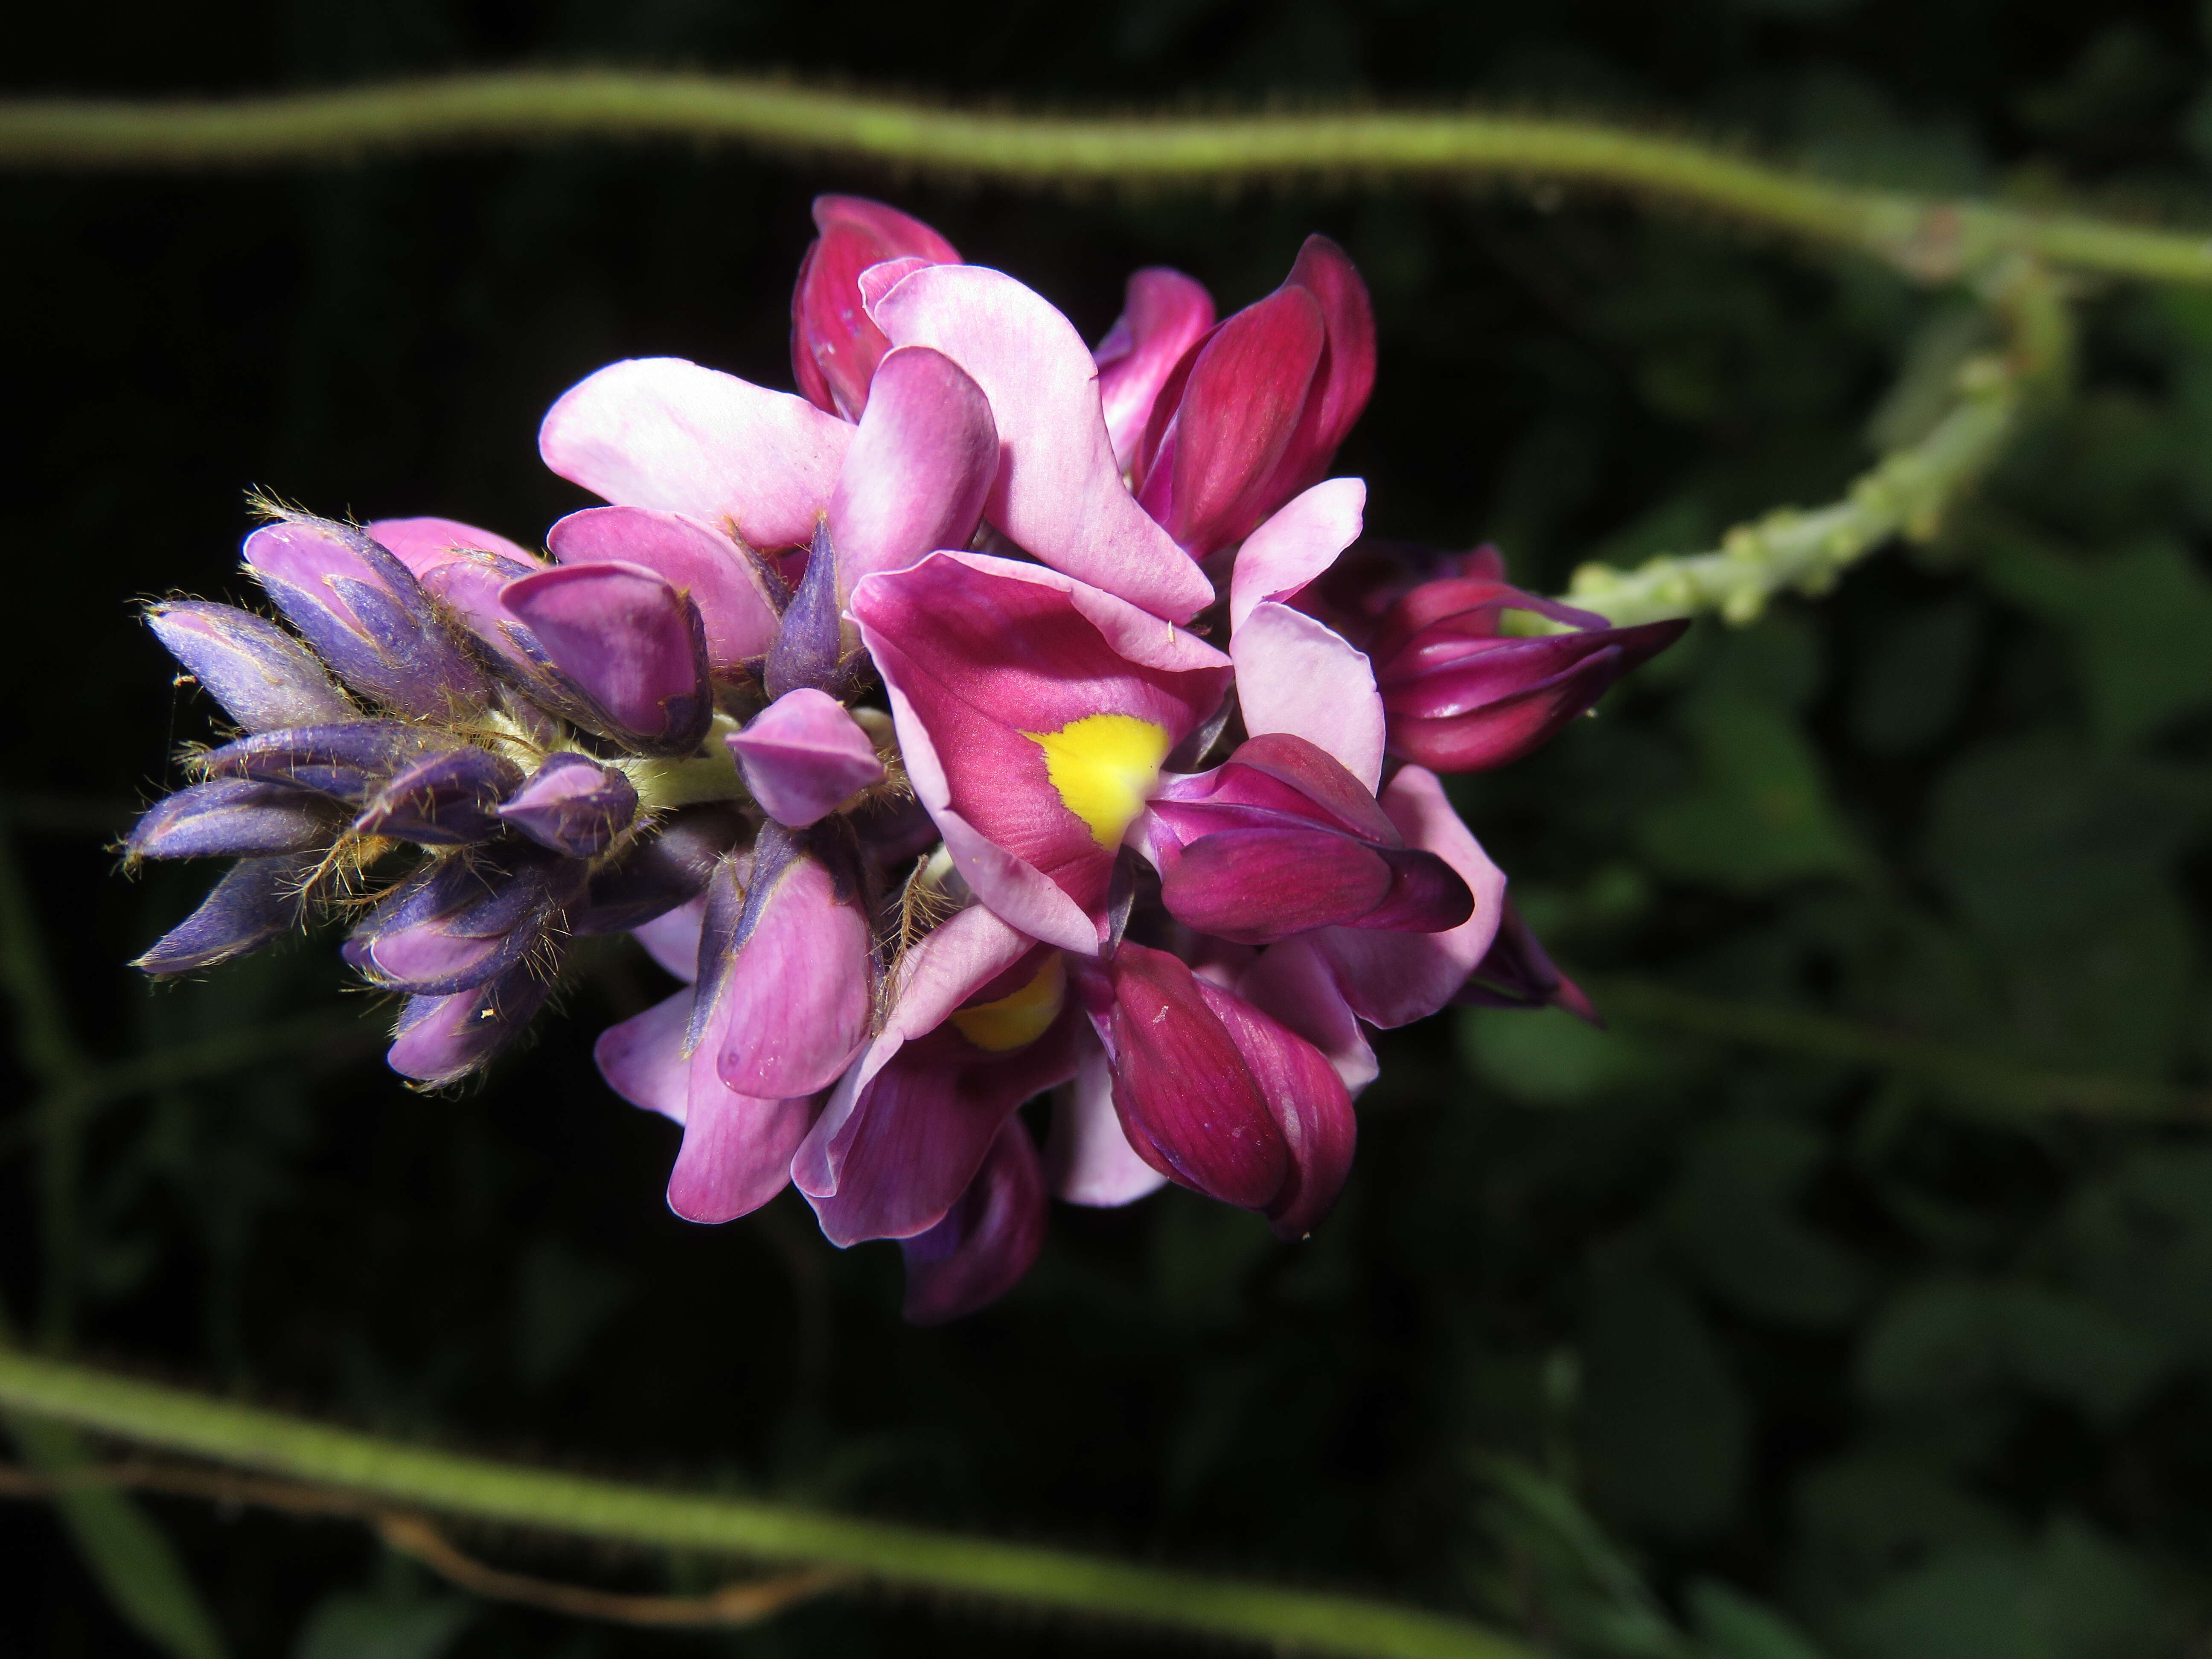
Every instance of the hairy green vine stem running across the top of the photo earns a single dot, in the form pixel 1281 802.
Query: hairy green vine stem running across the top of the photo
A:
pixel 1928 238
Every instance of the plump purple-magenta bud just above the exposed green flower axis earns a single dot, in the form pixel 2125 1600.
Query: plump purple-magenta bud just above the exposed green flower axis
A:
pixel 629 643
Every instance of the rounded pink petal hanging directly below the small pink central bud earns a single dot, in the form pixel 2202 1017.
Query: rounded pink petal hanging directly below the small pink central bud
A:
pixel 802 988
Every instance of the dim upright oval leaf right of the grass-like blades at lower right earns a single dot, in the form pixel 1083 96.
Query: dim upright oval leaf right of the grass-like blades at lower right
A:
pixel 1662 1421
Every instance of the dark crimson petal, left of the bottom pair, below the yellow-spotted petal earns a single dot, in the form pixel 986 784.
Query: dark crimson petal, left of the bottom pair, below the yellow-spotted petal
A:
pixel 1189 1103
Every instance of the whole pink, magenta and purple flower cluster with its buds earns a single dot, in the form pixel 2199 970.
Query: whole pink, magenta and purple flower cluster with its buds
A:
pixel 990 720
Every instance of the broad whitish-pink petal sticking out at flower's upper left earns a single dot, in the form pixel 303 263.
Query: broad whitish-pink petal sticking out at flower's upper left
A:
pixel 662 432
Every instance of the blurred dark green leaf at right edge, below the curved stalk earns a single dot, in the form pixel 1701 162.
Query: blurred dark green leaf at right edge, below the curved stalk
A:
pixel 2142 627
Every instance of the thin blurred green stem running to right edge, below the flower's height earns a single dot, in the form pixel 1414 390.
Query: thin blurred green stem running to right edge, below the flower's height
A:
pixel 1963 1074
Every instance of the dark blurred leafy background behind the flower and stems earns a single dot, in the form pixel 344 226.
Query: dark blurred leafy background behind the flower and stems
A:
pixel 1919 1377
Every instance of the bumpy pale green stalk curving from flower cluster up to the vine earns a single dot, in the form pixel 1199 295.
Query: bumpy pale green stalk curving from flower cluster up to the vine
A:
pixel 1906 494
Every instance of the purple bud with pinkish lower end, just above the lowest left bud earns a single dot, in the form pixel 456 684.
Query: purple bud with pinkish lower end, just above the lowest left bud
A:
pixel 459 926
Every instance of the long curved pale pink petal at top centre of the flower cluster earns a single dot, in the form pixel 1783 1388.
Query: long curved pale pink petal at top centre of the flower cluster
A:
pixel 1058 488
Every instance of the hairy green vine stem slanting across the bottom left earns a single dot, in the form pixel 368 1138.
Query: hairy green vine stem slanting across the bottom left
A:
pixel 585 1507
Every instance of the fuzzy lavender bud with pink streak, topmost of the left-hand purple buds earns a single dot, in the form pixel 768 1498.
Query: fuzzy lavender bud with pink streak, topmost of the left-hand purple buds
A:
pixel 366 616
